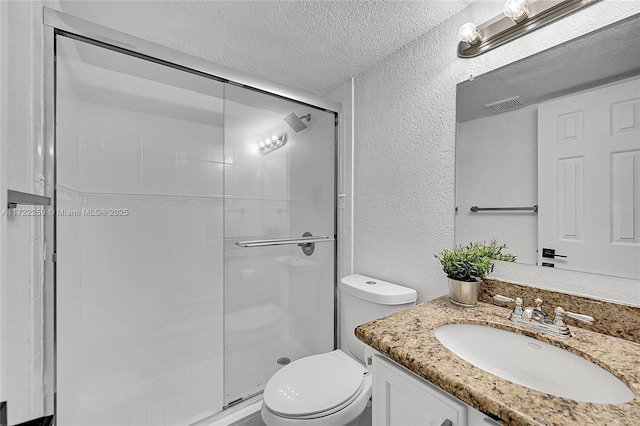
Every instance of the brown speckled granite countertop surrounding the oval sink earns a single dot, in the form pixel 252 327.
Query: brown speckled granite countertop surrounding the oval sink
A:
pixel 408 338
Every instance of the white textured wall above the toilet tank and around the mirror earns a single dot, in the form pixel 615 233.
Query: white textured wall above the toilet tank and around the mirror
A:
pixel 405 145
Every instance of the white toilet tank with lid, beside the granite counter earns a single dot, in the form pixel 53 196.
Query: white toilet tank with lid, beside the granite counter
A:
pixel 363 299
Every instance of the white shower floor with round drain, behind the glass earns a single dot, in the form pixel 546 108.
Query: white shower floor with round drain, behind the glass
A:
pixel 182 397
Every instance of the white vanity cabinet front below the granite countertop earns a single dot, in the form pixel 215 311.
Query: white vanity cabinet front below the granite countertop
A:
pixel 402 398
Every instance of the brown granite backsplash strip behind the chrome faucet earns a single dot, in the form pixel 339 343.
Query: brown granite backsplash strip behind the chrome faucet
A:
pixel 614 319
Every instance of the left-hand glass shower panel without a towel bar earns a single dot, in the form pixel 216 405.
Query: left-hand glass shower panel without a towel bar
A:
pixel 139 240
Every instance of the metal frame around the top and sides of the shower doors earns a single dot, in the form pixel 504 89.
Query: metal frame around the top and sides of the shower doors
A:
pixel 60 24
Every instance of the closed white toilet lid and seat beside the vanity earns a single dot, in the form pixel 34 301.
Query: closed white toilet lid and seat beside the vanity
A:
pixel 315 386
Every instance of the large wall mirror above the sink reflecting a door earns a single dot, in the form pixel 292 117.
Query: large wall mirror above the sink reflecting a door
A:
pixel 548 155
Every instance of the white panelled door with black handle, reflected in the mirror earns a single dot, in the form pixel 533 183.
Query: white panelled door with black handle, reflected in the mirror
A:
pixel 589 180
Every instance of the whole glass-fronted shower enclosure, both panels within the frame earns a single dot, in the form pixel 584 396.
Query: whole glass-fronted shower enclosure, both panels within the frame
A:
pixel 186 207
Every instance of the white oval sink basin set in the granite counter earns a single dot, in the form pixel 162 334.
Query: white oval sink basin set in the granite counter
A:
pixel 532 363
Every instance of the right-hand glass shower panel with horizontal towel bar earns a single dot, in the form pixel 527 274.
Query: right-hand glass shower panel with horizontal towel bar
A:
pixel 279 183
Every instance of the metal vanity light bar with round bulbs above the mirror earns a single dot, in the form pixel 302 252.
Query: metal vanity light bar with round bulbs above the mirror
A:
pixel 520 17
